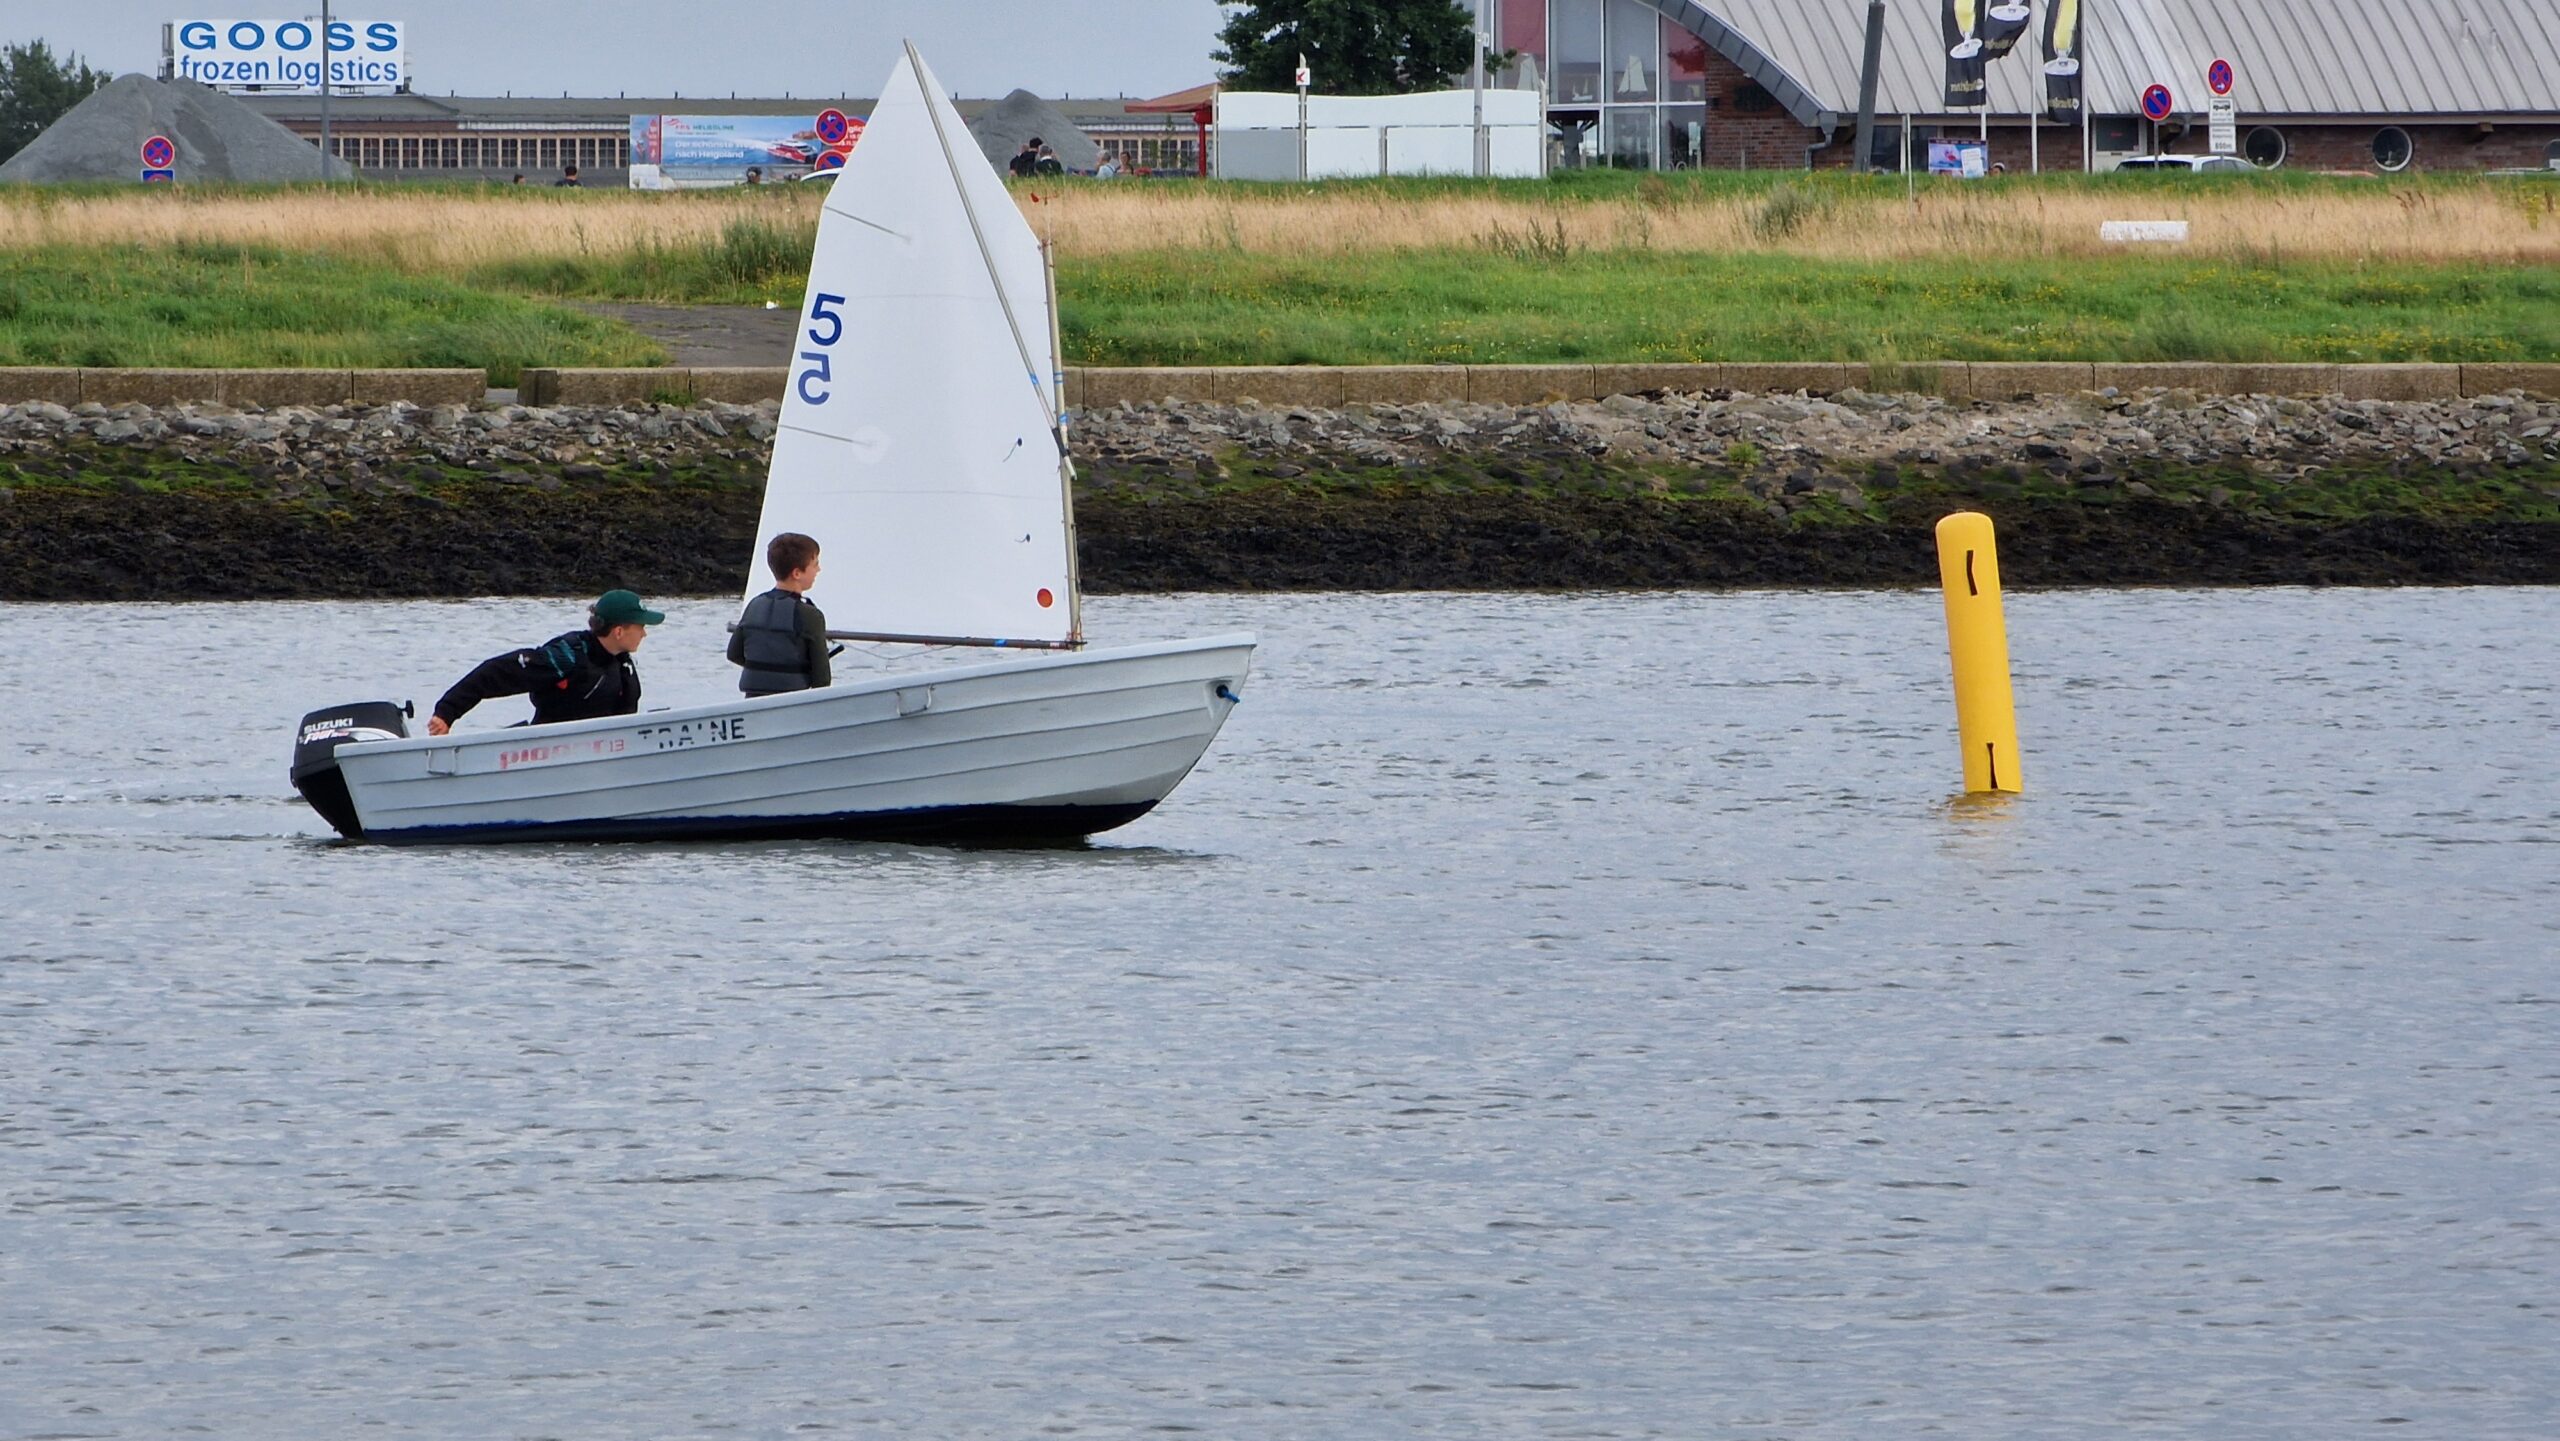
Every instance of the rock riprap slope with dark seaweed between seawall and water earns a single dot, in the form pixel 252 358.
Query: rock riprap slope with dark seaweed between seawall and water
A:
pixel 1637 490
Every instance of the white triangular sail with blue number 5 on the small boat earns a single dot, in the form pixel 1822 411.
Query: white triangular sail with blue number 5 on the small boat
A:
pixel 920 424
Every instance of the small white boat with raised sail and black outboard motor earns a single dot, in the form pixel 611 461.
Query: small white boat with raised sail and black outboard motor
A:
pixel 923 444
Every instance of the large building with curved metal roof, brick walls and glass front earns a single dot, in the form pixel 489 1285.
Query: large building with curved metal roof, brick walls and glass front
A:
pixel 2374 86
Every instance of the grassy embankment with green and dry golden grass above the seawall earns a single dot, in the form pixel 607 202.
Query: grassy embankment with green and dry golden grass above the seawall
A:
pixel 1591 267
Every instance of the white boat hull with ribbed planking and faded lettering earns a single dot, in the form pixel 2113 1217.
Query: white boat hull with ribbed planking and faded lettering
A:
pixel 1020 751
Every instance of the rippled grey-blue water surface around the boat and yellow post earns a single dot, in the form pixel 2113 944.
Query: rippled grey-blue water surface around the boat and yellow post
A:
pixel 1537 1017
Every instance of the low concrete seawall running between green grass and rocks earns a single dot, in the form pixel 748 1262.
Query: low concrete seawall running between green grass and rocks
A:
pixel 1302 385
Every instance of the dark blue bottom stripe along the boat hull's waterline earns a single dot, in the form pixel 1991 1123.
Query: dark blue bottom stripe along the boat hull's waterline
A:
pixel 931 823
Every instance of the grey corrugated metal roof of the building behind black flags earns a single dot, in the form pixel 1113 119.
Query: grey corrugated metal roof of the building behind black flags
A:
pixel 2292 58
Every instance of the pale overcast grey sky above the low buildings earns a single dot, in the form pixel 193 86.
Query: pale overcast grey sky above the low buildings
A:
pixel 708 47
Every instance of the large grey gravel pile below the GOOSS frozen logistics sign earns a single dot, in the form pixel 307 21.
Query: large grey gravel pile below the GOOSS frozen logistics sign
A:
pixel 216 137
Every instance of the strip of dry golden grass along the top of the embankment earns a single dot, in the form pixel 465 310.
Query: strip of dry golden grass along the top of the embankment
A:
pixel 457 232
